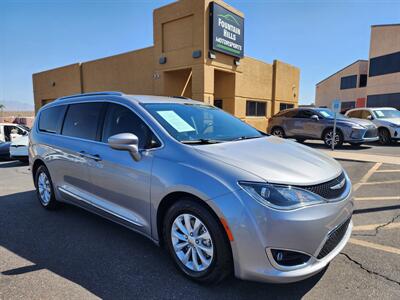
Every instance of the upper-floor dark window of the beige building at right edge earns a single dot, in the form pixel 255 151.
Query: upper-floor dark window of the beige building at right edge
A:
pixel 384 64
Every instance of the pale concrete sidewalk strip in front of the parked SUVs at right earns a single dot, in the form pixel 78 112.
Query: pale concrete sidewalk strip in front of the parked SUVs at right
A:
pixel 357 156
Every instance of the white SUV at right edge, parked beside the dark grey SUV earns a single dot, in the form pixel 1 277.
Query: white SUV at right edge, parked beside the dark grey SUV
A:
pixel 387 119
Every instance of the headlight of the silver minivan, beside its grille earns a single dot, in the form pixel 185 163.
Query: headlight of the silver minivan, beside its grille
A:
pixel 280 196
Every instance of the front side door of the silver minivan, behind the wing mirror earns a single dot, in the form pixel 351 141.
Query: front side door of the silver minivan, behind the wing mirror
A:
pixel 120 184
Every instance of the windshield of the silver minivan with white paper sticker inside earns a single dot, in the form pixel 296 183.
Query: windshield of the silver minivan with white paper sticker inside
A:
pixel 200 124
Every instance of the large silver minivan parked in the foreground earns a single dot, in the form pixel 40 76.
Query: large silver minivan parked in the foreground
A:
pixel 220 195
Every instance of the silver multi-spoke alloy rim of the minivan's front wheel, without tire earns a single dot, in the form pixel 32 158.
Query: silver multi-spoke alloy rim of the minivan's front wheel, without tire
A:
pixel 192 242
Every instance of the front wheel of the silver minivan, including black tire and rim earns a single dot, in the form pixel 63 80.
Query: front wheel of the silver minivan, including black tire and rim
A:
pixel 197 242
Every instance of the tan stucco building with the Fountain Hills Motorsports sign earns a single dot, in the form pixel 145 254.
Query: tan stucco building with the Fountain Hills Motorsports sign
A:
pixel 194 55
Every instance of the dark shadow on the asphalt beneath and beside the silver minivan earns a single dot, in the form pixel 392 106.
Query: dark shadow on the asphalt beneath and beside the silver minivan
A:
pixel 107 259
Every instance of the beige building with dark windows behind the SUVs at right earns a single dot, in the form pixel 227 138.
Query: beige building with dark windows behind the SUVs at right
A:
pixel 374 82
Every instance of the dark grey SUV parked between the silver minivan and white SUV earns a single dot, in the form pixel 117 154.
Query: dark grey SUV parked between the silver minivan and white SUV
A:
pixel 317 124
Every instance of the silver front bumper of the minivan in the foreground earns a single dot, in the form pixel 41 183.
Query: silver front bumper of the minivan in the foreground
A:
pixel 257 229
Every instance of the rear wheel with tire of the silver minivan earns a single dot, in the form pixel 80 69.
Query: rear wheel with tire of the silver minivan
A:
pixel 44 188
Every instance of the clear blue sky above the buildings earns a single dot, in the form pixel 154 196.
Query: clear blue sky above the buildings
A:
pixel 319 37
